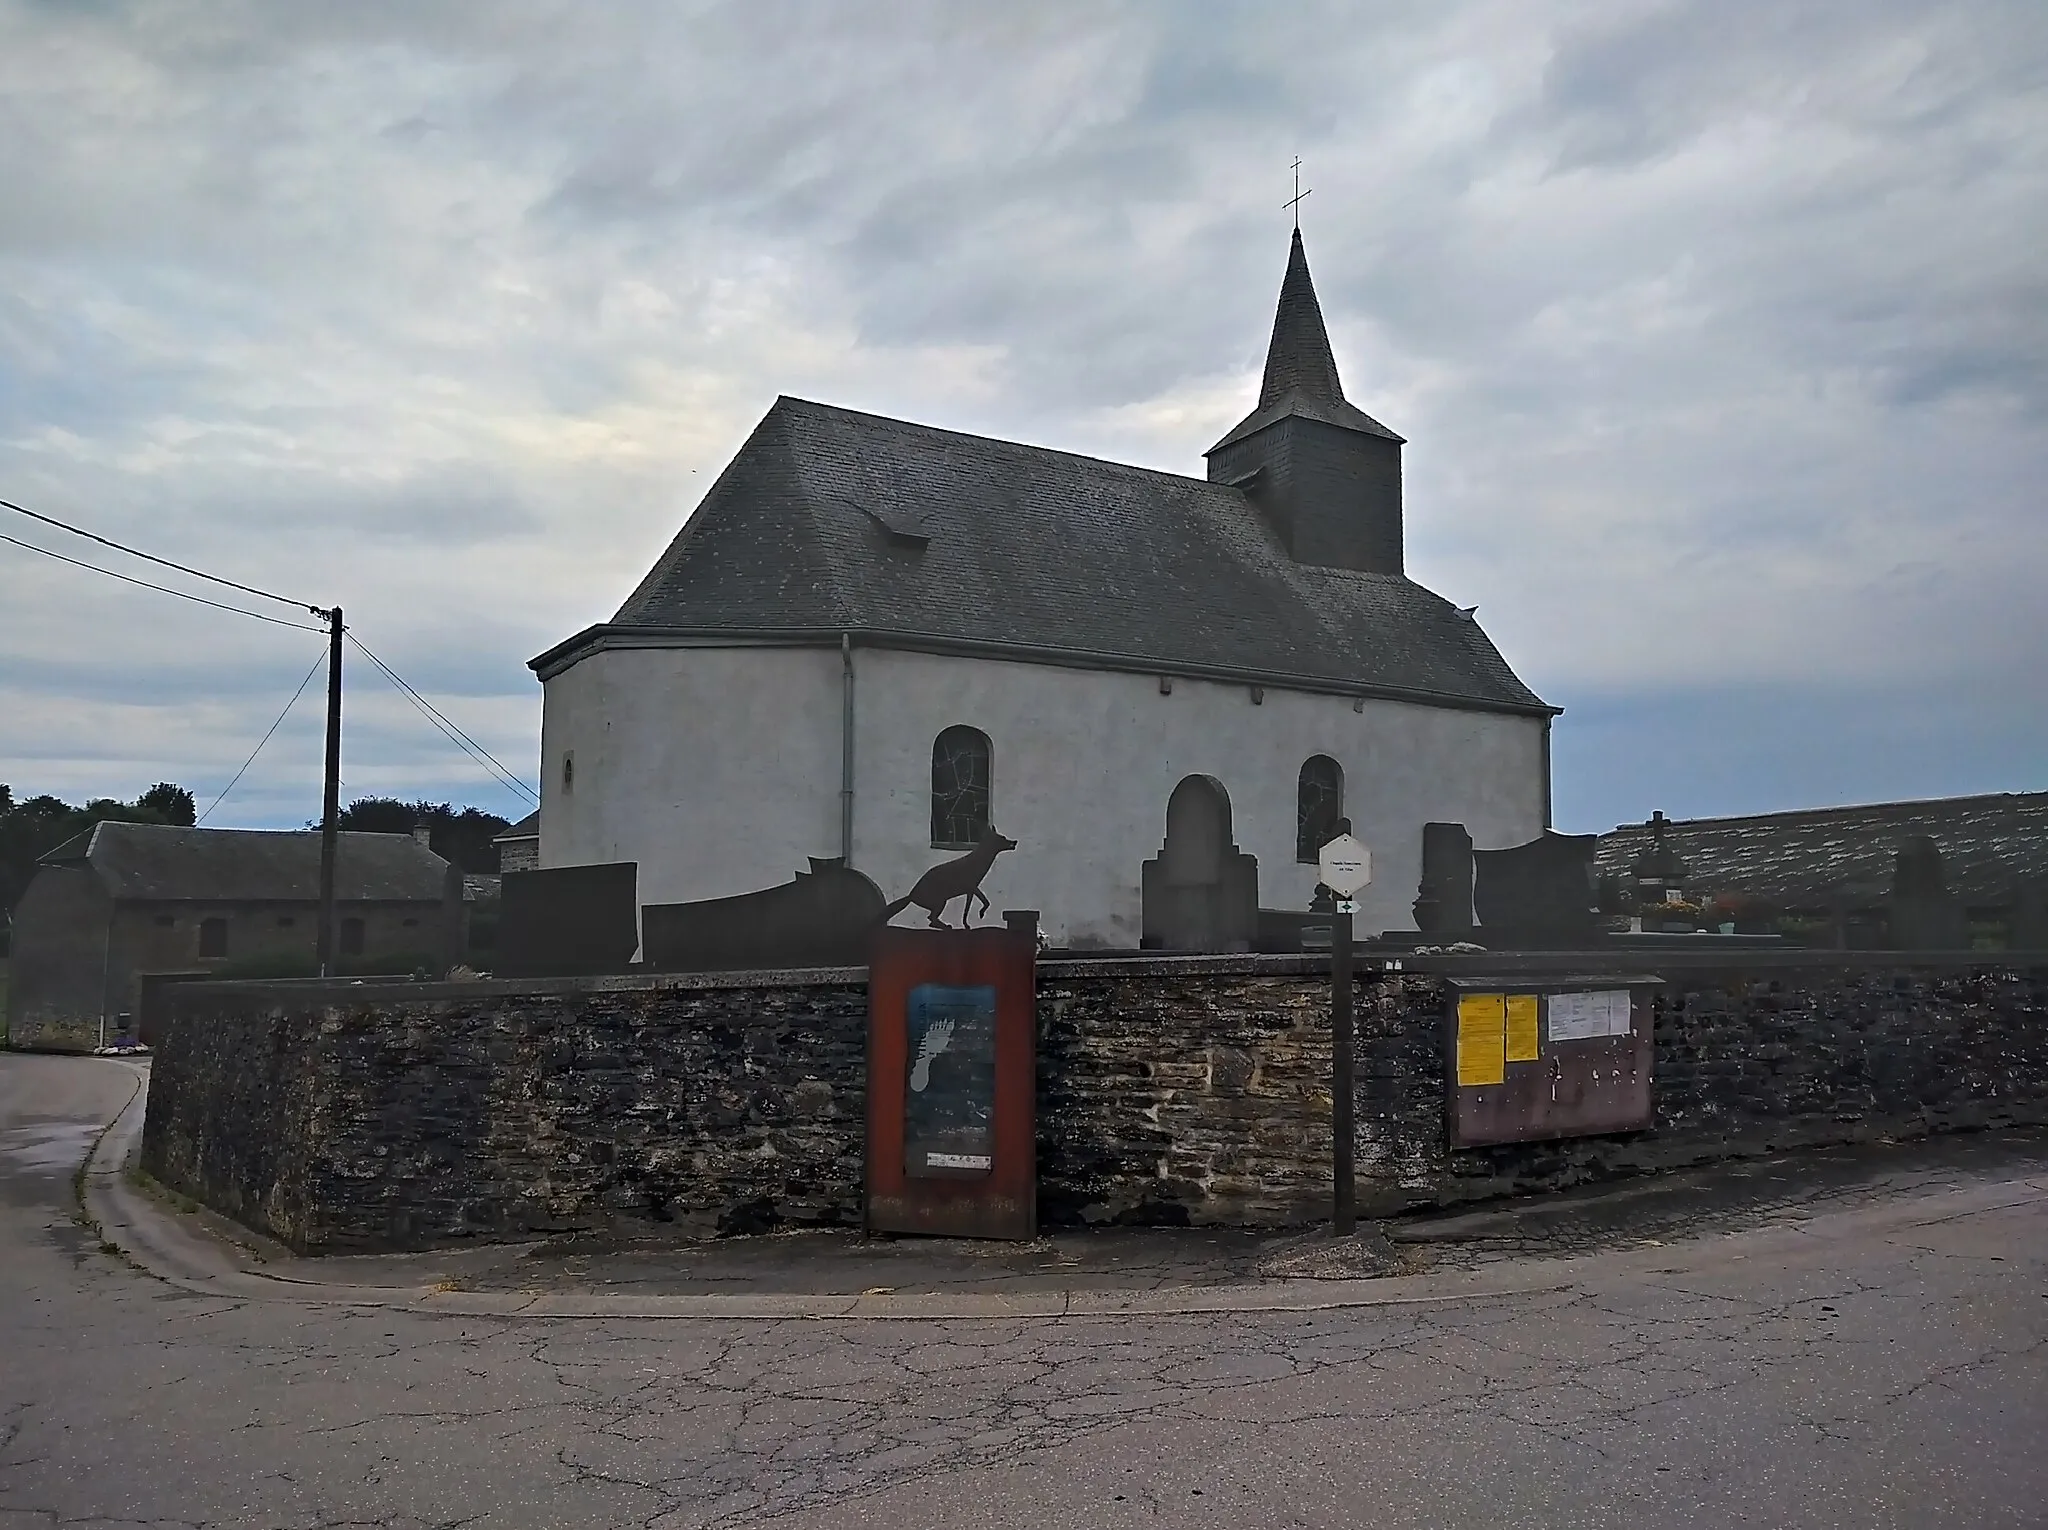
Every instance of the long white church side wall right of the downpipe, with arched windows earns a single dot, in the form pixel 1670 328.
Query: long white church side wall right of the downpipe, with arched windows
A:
pixel 1084 763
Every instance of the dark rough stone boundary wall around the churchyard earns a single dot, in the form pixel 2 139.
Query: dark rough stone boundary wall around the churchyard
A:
pixel 1170 1091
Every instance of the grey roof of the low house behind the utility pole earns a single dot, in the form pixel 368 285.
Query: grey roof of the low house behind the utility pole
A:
pixel 163 863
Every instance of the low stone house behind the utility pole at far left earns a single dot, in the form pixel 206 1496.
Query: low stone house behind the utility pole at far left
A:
pixel 124 906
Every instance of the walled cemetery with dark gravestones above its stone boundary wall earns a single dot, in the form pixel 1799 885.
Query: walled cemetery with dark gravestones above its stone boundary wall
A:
pixel 1514 1042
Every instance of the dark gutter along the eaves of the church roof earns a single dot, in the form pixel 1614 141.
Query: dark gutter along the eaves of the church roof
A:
pixel 597 640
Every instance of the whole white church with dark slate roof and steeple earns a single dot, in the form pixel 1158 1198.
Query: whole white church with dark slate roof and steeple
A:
pixel 878 642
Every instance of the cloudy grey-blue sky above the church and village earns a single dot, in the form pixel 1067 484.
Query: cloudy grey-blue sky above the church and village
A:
pixel 1719 335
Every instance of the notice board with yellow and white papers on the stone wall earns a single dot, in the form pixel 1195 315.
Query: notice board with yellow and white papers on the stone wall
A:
pixel 1560 1058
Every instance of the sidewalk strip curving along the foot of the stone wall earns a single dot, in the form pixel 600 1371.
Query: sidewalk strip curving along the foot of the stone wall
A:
pixel 1525 1246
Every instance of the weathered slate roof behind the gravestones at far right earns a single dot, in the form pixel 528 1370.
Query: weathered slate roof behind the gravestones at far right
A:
pixel 1801 859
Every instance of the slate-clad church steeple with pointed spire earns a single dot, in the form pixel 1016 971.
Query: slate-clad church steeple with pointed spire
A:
pixel 1326 474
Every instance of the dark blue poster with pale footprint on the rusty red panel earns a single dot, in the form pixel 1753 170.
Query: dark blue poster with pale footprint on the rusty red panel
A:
pixel 949 1111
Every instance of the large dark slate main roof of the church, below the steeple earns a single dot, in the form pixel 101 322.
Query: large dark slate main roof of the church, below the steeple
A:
pixel 833 521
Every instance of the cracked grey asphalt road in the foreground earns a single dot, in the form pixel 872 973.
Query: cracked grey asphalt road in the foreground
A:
pixel 1865 1361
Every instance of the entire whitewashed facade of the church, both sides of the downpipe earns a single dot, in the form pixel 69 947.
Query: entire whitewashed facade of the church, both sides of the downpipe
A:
pixel 720 771
